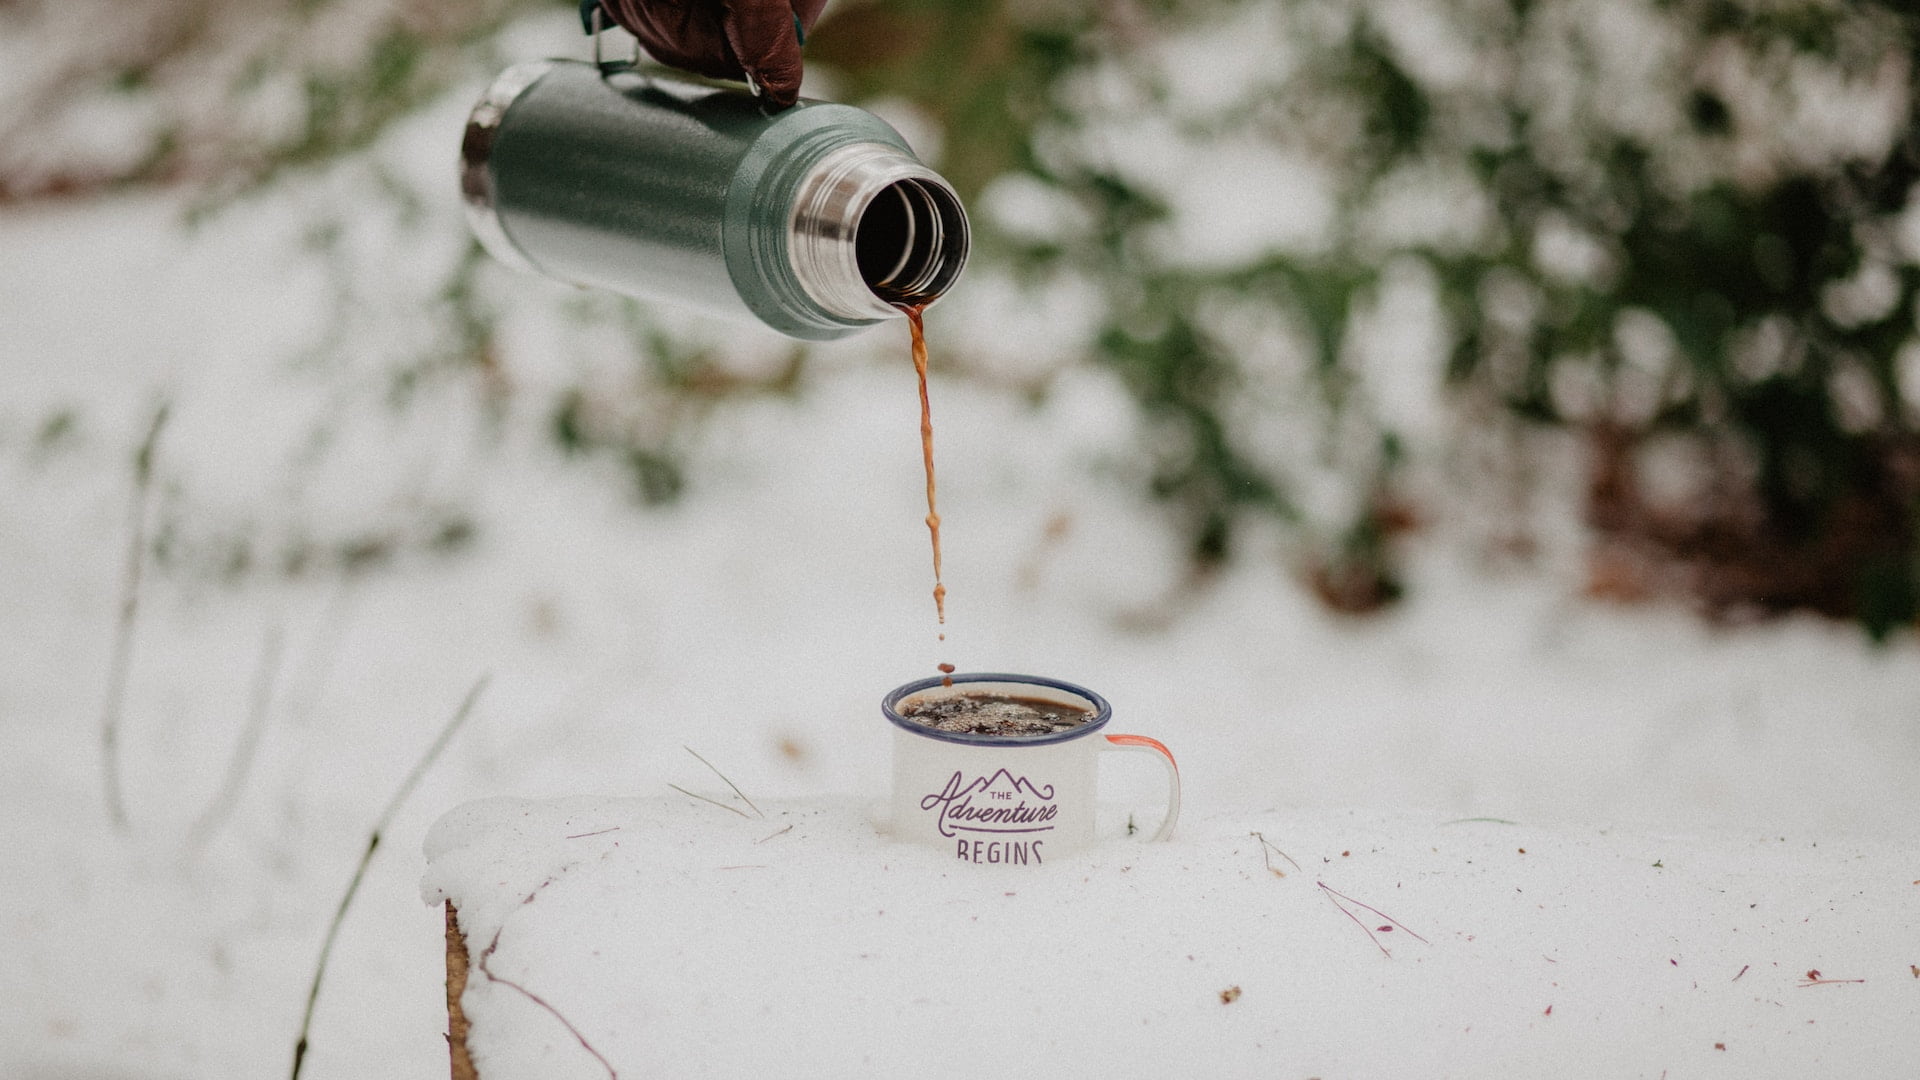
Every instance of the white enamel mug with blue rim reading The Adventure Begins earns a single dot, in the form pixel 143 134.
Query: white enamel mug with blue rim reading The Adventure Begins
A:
pixel 1007 800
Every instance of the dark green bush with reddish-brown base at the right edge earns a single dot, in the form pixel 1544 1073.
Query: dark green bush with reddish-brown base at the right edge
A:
pixel 1752 255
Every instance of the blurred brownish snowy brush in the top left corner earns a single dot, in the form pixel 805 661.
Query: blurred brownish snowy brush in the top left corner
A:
pixel 220 93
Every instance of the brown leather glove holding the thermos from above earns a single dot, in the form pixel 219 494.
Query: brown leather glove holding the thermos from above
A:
pixel 725 39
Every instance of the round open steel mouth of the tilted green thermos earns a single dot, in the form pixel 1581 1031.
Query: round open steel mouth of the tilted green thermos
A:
pixel 911 243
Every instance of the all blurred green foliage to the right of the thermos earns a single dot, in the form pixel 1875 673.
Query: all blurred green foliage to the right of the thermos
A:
pixel 1689 232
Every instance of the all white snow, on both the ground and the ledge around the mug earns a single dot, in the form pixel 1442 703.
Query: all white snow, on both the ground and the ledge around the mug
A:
pixel 759 622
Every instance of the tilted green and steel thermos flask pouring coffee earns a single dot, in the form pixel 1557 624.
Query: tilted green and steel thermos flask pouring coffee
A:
pixel 815 220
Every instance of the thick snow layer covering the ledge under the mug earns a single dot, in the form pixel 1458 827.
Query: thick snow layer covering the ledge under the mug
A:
pixel 684 941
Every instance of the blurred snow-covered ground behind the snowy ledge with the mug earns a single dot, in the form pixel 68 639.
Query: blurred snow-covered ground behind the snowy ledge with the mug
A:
pixel 759 622
